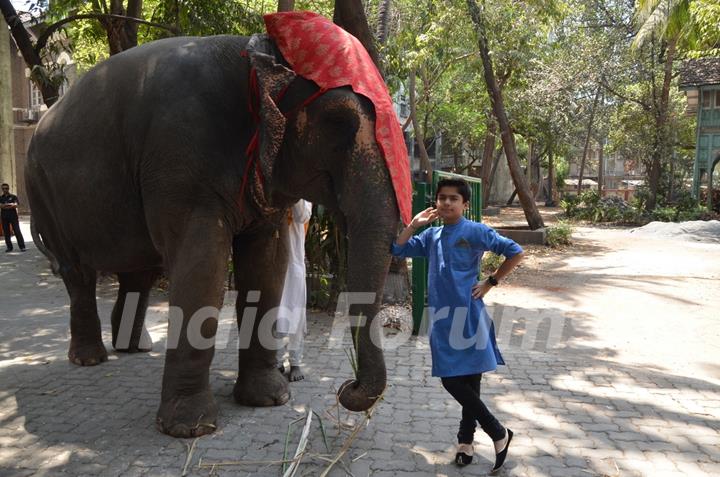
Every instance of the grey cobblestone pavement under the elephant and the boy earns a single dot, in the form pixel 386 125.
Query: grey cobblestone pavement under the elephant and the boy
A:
pixel 573 413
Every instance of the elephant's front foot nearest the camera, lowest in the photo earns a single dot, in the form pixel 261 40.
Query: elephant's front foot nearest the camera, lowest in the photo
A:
pixel 188 416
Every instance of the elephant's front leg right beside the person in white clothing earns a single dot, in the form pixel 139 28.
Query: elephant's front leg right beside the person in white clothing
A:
pixel 260 264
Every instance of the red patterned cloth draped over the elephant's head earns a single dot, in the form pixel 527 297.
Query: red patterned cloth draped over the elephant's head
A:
pixel 322 52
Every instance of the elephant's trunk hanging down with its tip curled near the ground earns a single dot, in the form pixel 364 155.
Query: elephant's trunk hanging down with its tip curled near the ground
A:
pixel 371 216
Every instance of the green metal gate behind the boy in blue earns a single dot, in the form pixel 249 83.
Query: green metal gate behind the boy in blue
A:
pixel 424 197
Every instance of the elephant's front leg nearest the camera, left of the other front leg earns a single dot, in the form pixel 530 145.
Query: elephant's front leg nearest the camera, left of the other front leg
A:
pixel 198 266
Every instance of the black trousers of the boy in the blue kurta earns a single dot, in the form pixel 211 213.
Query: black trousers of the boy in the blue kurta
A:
pixel 466 391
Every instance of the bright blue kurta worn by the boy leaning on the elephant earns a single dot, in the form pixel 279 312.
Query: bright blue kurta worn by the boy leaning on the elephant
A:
pixel 462 334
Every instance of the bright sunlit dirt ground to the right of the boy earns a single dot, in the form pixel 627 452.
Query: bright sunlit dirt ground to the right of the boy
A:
pixel 630 299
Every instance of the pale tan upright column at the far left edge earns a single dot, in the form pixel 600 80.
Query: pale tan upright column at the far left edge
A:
pixel 7 149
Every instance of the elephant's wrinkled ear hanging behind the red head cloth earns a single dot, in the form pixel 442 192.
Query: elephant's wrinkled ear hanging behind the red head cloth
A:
pixel 272 79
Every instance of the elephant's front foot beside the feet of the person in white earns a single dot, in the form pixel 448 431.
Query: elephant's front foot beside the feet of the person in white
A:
pixel 261 388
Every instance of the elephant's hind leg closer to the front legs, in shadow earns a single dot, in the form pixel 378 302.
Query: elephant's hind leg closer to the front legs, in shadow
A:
pixel 128 315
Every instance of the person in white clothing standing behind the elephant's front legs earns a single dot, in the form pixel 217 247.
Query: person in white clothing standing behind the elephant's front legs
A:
pixel 291 320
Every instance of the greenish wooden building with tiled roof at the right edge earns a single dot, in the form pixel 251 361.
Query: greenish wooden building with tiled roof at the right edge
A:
pixel 700 79
